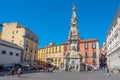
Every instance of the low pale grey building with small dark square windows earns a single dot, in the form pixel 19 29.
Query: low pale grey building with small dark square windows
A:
pixel 9 53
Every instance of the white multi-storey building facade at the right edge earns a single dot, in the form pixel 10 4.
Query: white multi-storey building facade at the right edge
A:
pixel 113 43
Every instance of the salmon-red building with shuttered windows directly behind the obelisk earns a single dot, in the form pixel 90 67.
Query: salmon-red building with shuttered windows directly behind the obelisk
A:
pixel 89 49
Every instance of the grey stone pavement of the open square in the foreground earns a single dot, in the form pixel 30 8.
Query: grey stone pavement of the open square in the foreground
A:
pixel 64 76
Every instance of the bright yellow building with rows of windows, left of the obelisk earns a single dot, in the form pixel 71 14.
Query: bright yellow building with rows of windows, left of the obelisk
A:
pixel 51 54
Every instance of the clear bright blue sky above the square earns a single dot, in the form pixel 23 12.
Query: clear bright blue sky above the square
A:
pixel 50 19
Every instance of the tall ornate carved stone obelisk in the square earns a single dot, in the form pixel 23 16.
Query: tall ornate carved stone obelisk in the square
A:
pixel 73 58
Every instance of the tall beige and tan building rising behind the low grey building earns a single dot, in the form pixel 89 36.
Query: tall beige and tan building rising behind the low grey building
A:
pixel 15 33
